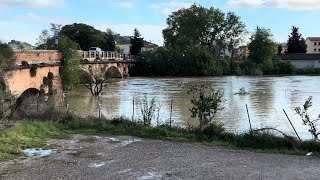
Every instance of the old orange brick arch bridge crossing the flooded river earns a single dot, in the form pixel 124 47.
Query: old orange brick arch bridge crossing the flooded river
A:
pixel 19 81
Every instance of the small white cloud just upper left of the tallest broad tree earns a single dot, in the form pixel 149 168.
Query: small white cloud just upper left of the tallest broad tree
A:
pixel 168 8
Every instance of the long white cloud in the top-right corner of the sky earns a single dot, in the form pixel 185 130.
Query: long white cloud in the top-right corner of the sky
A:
pixel 281 4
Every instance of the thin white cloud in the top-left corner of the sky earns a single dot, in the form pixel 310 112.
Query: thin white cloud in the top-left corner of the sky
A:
pixel 30 3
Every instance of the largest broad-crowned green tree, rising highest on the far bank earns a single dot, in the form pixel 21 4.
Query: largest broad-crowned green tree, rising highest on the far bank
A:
pixel 208 27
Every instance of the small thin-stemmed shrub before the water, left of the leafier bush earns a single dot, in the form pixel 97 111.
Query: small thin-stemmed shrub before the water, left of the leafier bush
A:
pixel 148 109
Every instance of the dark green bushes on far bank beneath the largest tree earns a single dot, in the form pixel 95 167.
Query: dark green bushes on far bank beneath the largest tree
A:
pixel 192 61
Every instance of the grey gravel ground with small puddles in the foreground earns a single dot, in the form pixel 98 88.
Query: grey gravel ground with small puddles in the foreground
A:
pixel 127 158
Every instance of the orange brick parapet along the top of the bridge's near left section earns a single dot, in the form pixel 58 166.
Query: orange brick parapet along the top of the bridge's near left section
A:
pixel 37 56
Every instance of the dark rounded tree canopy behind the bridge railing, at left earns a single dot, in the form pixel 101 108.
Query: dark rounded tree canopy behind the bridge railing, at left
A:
pixel 87 36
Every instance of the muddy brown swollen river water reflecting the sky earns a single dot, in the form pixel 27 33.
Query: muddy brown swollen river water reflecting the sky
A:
pixel 266 99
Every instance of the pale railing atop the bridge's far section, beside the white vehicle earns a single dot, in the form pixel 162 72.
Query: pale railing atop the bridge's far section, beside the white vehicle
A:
pixel 105 56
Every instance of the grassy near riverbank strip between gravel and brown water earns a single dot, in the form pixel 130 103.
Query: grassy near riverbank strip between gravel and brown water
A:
pixel 33 134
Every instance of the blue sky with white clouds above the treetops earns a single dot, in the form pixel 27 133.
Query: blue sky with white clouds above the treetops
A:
pixel 24 19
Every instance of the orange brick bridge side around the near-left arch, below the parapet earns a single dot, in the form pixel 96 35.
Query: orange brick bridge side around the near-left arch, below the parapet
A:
pixel 17 81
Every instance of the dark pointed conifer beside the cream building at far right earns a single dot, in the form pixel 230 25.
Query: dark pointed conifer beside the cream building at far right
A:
pixel 296 43
